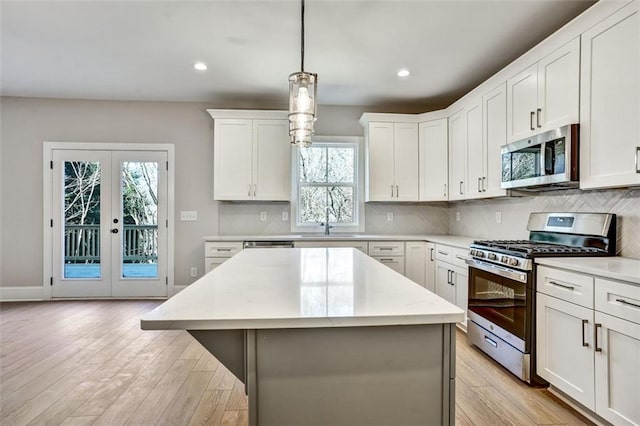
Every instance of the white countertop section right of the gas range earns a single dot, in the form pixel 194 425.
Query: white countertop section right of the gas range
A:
pixel 619 268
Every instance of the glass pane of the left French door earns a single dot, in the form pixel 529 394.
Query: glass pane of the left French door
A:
pixel 82 219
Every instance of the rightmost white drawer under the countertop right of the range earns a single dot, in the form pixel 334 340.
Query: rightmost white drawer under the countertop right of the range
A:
pixel 618 299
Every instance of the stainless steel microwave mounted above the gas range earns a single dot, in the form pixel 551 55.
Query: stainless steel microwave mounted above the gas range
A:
pixel 549 159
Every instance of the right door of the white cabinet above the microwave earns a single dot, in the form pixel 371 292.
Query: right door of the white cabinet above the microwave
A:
pixel 559 87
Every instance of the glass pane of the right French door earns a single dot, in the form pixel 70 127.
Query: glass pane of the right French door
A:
pixel 139 219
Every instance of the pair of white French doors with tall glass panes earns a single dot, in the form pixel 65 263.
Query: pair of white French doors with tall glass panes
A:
pixel 109 223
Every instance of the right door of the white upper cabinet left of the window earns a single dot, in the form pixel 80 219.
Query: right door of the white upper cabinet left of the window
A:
pixel 271 160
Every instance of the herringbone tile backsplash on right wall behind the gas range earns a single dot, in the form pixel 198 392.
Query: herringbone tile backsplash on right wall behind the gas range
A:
pixel 478 218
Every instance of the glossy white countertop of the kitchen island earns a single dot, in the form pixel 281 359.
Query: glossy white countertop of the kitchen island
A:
pixel 300 288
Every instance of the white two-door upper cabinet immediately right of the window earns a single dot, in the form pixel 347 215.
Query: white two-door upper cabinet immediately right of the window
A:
pixel 392 161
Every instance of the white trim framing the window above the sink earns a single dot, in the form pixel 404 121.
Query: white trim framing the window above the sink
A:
pixel 359 185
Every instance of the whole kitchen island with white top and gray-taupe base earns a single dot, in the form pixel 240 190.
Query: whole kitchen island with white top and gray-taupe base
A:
pixel 323 336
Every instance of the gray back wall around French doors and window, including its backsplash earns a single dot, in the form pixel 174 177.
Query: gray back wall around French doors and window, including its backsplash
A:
pixel 28 122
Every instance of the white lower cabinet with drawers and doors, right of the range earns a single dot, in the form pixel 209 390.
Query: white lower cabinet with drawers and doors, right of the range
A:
pixel 591 351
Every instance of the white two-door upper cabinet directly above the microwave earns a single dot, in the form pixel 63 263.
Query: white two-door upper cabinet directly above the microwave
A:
pixel 545 95
